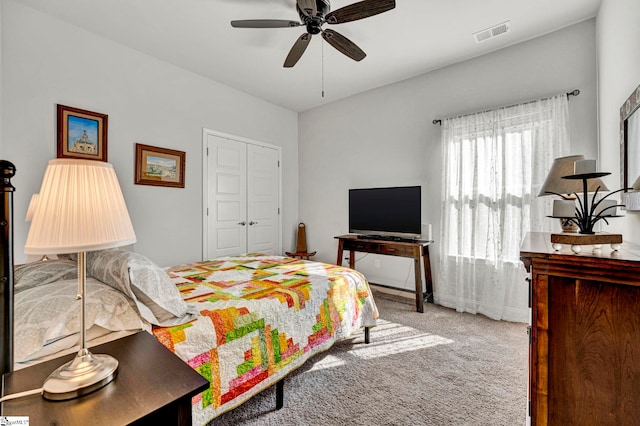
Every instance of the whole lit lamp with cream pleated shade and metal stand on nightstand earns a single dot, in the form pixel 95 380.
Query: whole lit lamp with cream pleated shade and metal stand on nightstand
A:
pixel 80 208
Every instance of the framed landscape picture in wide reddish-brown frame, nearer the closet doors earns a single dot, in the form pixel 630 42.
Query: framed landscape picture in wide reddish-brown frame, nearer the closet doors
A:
pixel 159 166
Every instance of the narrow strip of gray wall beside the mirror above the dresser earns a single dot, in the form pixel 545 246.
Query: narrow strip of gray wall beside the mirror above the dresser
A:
pixel 618 40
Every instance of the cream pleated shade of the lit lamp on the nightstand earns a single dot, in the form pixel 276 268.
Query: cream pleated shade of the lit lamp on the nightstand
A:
pixel 80 208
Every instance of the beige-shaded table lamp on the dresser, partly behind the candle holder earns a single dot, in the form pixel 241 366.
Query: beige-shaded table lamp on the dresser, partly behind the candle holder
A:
pixel 566 189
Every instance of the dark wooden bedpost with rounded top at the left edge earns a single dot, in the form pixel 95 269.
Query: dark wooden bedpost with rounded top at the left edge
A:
pixel 8 170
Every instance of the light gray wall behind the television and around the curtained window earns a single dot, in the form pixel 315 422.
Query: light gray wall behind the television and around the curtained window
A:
pixel 385 137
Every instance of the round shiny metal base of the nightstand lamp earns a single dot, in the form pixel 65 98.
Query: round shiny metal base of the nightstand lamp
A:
pixel 80 376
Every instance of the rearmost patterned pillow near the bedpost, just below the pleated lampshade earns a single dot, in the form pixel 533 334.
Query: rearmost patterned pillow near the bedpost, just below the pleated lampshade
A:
pixel 34 274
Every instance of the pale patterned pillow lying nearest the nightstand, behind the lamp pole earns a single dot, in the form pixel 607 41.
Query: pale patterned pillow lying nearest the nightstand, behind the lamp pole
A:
pixel 46 314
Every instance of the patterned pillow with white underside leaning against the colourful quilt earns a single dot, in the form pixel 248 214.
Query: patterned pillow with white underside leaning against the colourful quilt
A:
pixel 155 295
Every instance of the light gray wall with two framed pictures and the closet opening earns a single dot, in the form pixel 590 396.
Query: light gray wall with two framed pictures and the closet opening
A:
pixel 46 61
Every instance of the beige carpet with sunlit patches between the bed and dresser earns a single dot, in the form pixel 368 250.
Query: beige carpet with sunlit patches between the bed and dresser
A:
pixel 436 368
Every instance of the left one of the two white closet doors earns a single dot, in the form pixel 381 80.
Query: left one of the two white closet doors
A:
pixel 227 197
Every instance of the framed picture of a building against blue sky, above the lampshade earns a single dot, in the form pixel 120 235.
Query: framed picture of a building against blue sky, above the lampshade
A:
pixel 81 134
